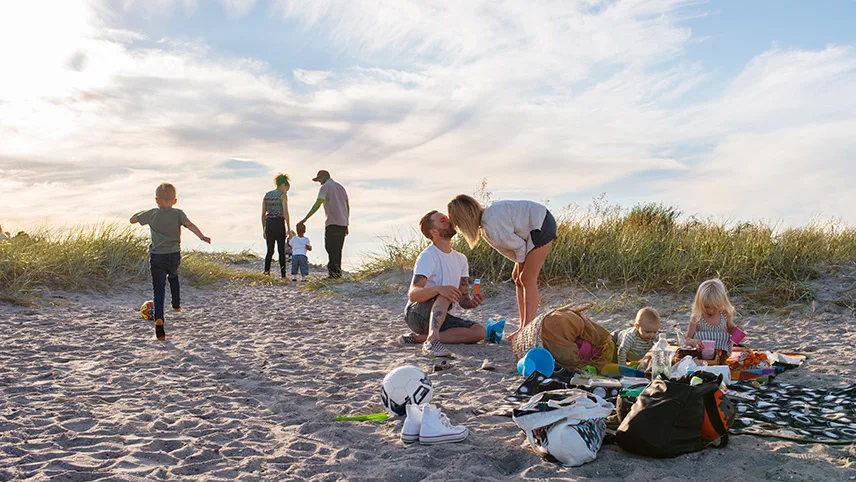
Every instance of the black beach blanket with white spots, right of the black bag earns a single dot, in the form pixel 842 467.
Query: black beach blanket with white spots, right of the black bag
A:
pixel 794 412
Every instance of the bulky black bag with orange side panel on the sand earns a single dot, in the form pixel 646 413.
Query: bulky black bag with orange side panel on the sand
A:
pixel 667 418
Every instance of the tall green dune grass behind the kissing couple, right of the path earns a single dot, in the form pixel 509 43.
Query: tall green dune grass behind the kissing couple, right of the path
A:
pixel 651 247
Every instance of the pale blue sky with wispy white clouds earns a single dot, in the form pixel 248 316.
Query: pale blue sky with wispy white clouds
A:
pixel 726 109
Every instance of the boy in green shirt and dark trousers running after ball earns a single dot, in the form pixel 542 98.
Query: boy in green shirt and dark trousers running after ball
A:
pixel 165 223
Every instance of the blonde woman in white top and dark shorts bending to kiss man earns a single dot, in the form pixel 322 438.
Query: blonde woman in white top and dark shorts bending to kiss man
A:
pixel 522 231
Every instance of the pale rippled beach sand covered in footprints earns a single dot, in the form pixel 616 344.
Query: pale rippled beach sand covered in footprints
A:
pixel 250 380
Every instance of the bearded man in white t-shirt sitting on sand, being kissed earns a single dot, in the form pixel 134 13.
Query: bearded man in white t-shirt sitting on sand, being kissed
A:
pixel 440 278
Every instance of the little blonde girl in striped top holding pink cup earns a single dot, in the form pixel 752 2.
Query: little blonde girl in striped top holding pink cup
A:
pixel 712 319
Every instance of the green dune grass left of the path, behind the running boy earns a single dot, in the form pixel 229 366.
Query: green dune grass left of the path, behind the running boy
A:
pixel 102 258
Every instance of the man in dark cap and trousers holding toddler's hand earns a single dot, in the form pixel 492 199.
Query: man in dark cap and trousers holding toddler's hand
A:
pixel 337 208
